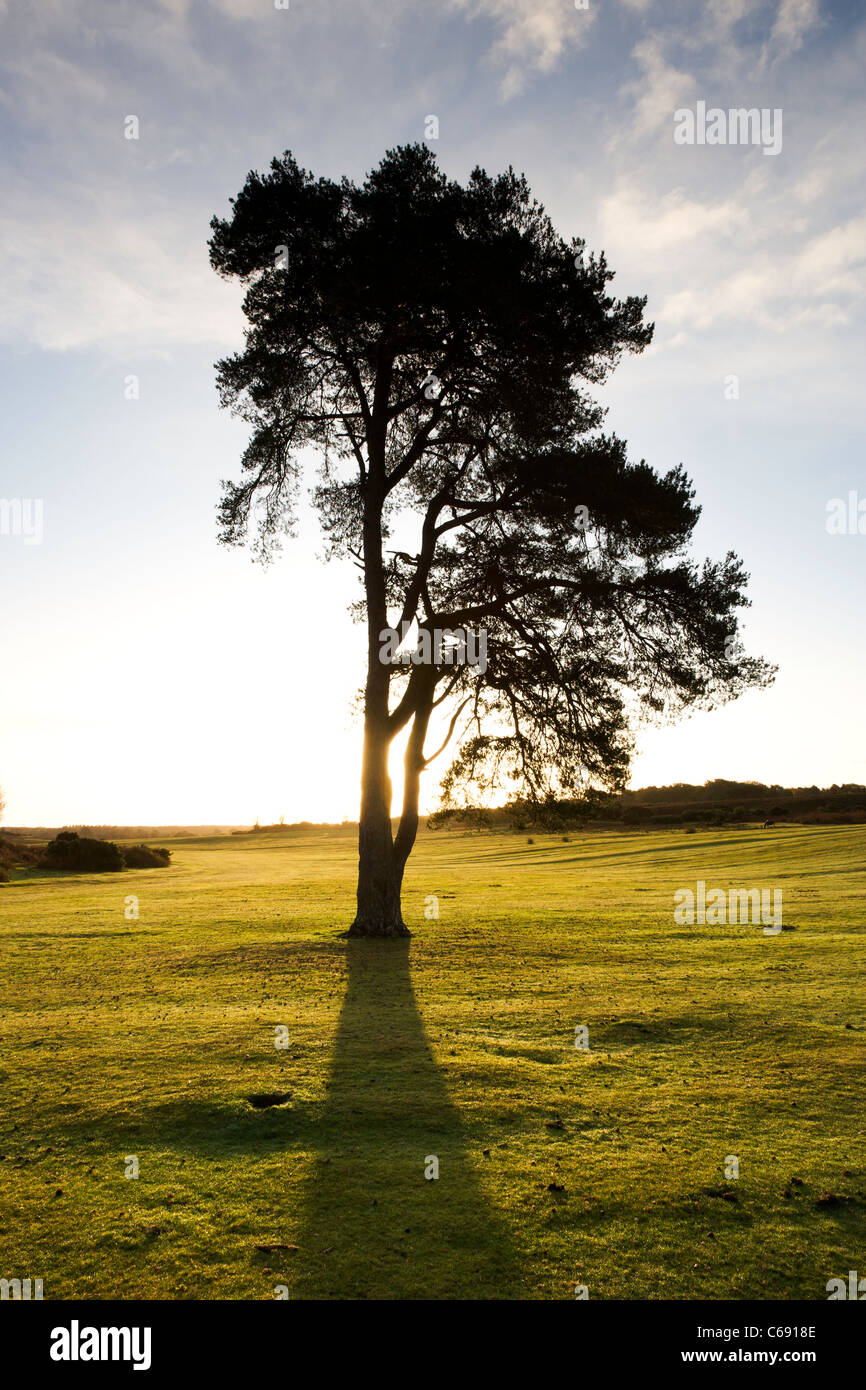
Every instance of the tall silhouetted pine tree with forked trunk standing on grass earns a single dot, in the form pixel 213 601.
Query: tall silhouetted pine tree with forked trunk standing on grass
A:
pixel 437 345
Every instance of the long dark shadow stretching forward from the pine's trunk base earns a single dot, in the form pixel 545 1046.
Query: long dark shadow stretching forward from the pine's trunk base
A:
pixel 370 1224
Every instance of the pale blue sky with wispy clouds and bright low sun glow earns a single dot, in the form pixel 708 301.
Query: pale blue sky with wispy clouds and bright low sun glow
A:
pixel 149 676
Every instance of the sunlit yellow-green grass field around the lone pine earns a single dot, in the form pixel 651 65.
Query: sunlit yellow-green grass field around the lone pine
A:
pixel 145 1039
